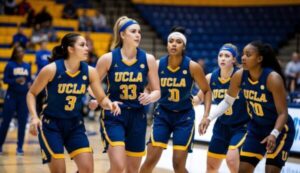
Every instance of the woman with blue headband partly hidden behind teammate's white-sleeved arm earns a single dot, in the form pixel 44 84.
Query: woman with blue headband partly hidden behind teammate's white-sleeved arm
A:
pixel 229 131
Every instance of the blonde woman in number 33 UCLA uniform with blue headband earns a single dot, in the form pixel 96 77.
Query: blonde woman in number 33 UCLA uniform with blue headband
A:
pixel 129 70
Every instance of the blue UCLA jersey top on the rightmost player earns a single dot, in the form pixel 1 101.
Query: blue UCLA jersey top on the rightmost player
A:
pixel 260 103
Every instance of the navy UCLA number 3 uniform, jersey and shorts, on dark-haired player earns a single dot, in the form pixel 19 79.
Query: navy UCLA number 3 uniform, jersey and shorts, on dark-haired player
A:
pixel 62 119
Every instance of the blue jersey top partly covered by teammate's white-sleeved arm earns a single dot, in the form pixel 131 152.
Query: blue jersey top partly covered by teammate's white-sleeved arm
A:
pixel 235 115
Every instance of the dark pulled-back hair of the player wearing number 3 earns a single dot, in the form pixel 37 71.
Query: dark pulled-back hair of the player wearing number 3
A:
pixel 61 51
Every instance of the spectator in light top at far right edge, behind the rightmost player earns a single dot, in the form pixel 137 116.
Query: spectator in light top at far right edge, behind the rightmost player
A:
pixel 292 72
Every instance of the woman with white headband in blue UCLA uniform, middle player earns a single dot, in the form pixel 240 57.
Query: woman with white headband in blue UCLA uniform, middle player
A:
pixel 175 113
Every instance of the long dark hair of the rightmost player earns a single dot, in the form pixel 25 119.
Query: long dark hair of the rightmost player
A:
pixel 269 57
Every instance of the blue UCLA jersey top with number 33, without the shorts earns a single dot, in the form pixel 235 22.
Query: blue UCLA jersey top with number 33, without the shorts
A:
pixel 126 81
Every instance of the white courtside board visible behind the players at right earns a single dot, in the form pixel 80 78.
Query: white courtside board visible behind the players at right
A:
pixel 294 112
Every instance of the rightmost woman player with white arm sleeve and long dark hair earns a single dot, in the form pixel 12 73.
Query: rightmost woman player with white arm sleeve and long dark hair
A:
pixel 271 130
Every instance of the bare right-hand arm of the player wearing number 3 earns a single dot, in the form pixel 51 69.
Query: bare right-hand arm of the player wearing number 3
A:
pixel 99 94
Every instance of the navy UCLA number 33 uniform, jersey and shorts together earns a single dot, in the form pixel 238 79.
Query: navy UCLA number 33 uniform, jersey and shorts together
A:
pixel 125 83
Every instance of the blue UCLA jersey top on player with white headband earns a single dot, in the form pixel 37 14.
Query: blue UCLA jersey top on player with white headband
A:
pixel 176 85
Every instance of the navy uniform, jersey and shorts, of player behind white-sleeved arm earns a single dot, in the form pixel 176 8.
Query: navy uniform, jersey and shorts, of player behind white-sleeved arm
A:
pixel 230 129
